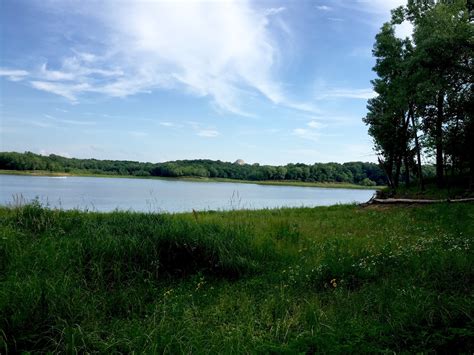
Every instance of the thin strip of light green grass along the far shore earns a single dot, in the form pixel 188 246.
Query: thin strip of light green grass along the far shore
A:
pixel 335 185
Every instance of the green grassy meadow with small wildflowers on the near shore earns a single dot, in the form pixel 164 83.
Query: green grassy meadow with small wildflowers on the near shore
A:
pixel 328 279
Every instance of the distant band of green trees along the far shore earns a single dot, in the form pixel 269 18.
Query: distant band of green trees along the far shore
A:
pixel 367 174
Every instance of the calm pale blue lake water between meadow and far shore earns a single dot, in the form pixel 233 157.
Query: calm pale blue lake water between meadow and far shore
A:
pixel 107 194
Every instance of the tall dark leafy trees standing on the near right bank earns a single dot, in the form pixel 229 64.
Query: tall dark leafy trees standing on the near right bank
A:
pixel 425 102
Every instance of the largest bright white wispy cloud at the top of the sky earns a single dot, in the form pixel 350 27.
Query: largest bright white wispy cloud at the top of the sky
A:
pixel 220 50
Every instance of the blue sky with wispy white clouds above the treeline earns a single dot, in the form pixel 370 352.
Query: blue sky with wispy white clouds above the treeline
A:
pixel 269 82
